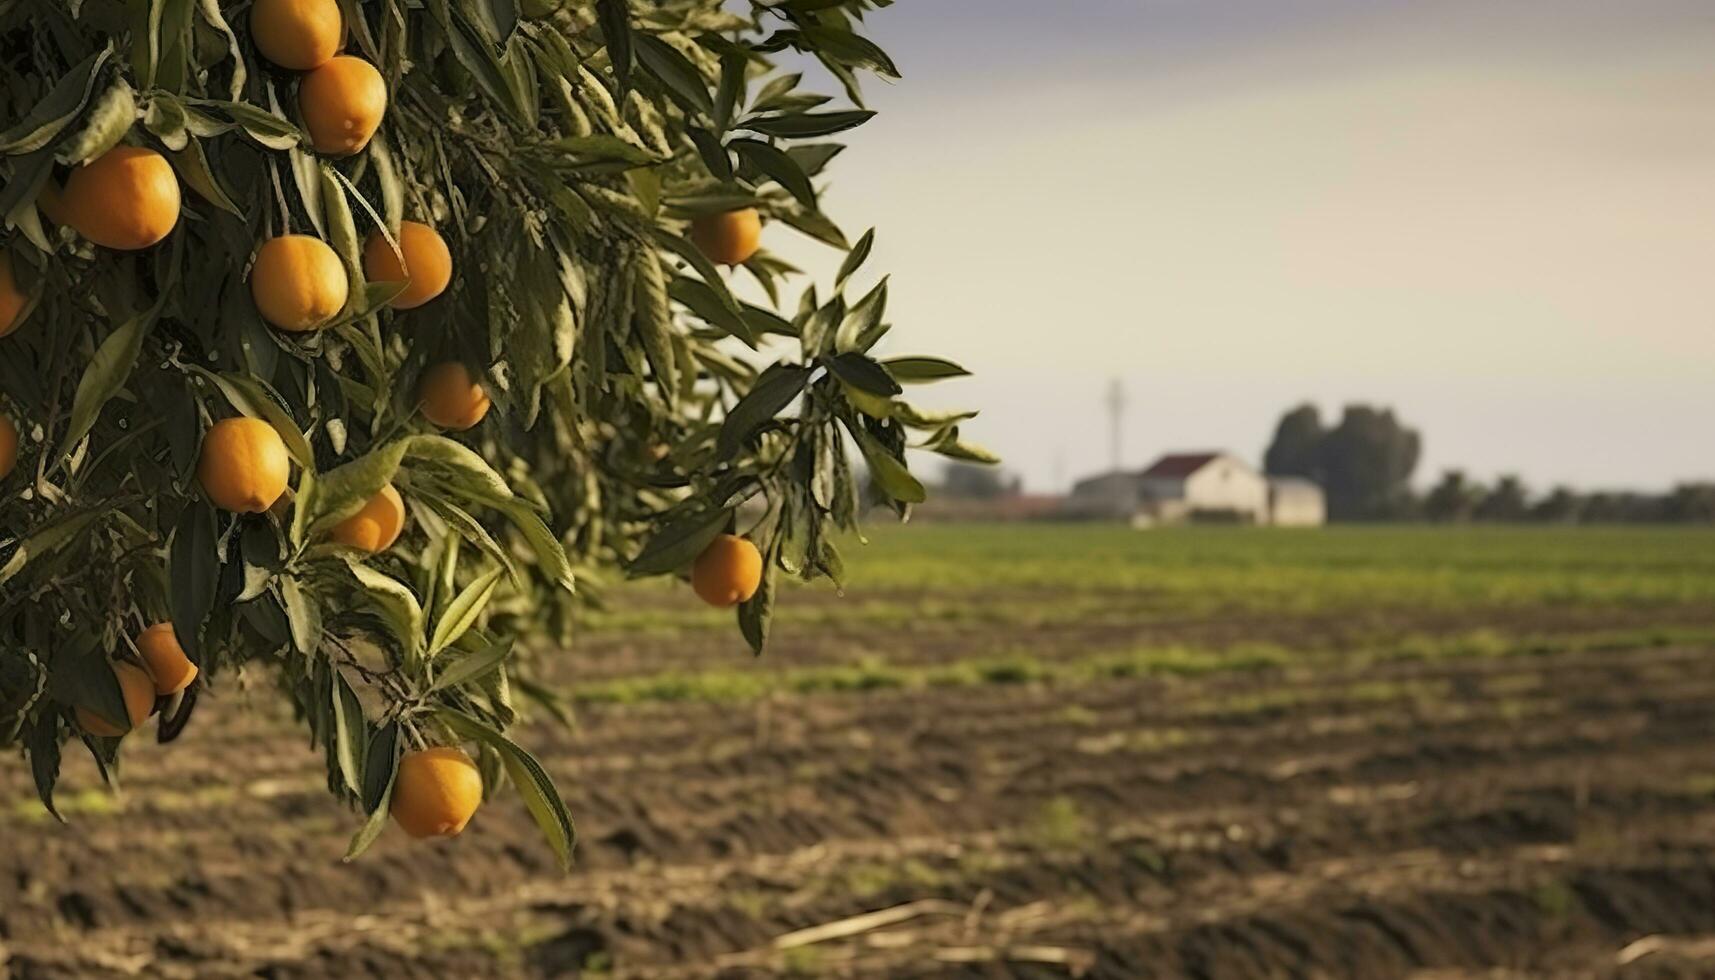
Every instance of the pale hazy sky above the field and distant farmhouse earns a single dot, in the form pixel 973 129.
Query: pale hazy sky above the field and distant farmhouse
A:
pixel 1496 217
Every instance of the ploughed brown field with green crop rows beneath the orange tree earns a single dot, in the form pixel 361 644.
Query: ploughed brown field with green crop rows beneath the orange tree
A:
pixel 1033 751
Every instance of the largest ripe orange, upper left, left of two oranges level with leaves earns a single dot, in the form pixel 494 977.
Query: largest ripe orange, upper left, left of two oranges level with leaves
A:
pixel 128 198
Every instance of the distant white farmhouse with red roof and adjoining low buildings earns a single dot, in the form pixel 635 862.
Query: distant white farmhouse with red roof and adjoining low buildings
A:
pixel 1182 488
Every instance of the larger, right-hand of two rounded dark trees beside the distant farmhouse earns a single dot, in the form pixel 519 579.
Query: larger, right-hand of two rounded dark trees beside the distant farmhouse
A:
pixel 1368 464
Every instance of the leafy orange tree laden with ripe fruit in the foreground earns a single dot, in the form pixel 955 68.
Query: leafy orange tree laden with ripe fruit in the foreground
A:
pixel 346 337
